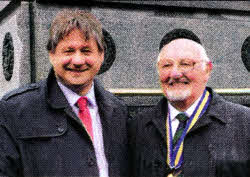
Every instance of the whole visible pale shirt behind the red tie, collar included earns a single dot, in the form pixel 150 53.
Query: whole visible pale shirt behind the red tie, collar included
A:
pixel 72 98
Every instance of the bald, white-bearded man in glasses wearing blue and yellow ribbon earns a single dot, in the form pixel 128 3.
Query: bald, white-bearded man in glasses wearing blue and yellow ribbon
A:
pixel 192 131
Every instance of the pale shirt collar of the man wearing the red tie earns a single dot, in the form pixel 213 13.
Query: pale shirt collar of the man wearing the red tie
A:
pixel 73 97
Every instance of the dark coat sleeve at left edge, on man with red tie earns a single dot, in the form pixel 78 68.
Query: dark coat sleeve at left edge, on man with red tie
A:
pixel 9 154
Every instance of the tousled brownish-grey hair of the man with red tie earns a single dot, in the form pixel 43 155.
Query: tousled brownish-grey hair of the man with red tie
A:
pixel 68 20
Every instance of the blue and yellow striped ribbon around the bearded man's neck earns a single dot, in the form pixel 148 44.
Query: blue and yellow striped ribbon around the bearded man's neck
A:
pixel 175 156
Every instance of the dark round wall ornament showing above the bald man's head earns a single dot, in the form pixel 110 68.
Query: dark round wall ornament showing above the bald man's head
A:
pixel 176 34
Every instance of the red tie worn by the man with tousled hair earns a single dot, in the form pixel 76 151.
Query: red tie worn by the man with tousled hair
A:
pixel 85 115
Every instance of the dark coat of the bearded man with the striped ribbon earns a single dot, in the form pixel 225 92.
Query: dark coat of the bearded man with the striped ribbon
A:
pixel 217 145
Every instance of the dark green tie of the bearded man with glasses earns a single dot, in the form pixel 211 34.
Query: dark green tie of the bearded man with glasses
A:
pixel 182 123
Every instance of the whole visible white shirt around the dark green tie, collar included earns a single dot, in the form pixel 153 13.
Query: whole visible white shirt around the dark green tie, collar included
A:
pixel 174 112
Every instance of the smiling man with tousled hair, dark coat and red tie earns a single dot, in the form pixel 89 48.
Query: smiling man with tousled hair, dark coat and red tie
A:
pixel 66 125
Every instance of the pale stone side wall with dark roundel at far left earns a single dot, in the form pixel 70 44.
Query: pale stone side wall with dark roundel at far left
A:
pixel 15 45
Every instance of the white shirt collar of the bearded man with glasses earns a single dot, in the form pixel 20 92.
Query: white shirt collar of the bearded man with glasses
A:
pixel 174 112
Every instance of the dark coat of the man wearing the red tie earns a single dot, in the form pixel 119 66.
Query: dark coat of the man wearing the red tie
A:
pixel 40 135
